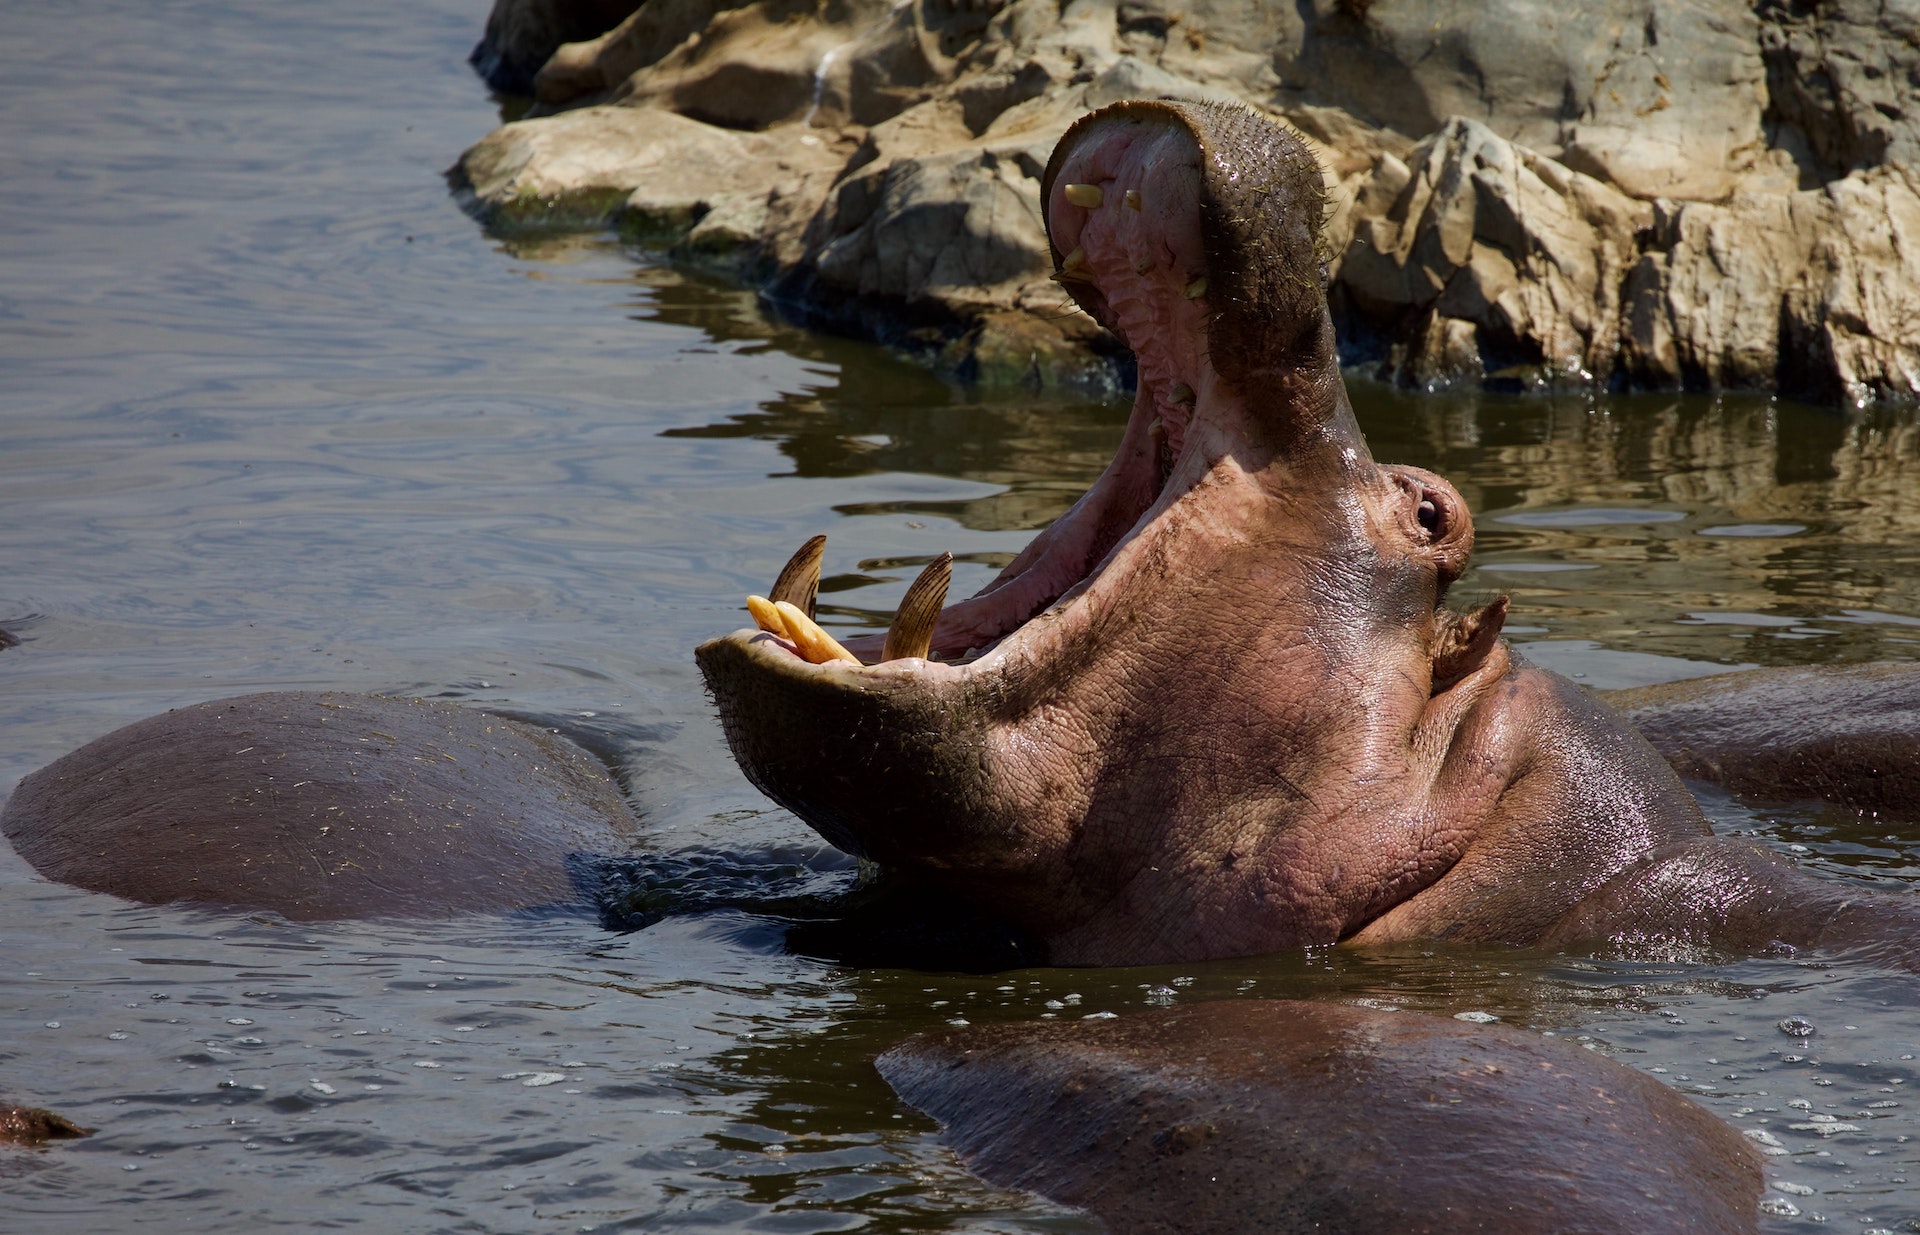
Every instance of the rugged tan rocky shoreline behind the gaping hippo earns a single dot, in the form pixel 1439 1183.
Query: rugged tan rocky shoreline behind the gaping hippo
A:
pixel 1644 193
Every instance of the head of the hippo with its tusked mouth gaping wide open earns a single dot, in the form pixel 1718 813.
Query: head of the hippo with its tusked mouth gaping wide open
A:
pixel 1218 708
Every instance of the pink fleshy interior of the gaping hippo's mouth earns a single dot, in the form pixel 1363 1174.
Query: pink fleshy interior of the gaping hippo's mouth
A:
pixel 1147 264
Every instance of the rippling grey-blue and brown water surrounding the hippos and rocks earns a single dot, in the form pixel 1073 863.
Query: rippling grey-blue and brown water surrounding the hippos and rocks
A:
pixel 276 414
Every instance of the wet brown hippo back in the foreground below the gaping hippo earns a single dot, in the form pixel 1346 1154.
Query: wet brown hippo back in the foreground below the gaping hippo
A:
pixel 1305 1117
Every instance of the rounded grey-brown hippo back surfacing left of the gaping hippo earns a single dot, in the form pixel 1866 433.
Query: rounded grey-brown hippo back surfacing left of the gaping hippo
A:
pixel 322 806
